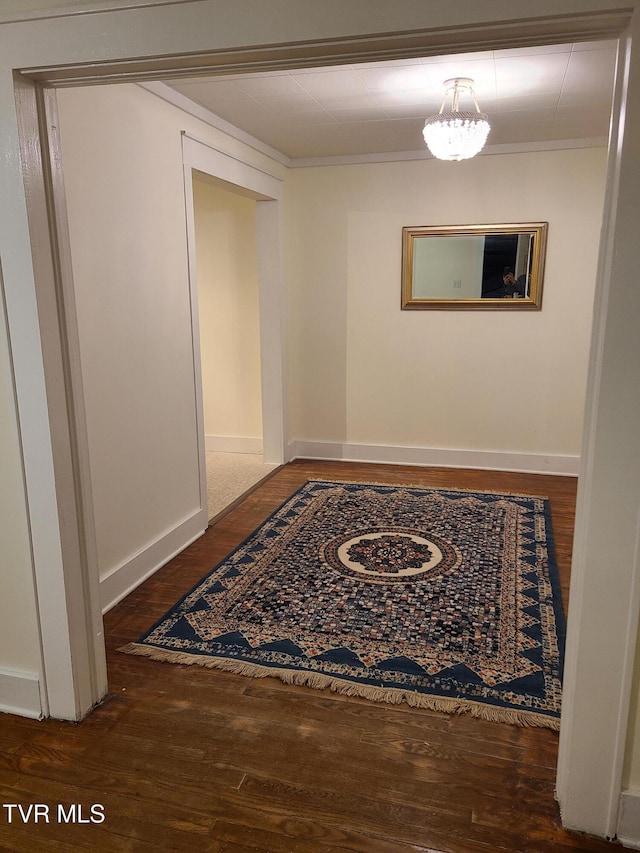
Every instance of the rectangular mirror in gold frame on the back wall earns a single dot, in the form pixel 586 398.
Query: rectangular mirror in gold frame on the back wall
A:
pixel 474 266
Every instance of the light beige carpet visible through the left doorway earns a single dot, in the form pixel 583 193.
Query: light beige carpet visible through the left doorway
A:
pixel 230 475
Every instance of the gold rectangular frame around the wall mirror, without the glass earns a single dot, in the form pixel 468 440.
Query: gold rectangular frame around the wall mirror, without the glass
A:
pixel 531 303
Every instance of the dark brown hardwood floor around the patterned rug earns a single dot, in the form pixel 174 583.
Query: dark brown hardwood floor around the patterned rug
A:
pixel 188 759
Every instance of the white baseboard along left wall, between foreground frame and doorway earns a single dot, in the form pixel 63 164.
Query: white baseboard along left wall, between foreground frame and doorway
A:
pixel 123 579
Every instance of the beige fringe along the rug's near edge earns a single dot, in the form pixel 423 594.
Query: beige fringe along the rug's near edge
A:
pixel 389 695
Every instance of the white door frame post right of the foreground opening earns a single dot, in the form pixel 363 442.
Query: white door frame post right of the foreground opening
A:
pixel 603 608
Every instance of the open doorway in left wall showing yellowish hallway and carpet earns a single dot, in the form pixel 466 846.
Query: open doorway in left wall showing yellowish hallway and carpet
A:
pixel 229 331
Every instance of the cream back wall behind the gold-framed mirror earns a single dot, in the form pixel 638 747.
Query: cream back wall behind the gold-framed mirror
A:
pixel 367 373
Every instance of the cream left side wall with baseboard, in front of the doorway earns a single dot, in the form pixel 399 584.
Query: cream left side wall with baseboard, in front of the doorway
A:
pixel 122 157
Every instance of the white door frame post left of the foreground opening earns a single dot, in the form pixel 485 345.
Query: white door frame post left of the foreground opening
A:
pixel 74 675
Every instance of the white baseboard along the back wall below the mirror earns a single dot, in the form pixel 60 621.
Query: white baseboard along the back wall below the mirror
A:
pixel 529 463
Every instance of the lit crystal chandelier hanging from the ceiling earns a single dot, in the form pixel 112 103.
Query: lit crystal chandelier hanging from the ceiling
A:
pixel 457 134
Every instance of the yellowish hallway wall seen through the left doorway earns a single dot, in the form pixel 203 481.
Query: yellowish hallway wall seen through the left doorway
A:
pixel 227 274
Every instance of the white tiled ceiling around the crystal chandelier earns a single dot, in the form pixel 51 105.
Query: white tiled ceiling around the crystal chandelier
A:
pixel 531 95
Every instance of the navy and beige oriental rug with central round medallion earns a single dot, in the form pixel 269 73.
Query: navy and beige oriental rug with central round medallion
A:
pixel 443 599
